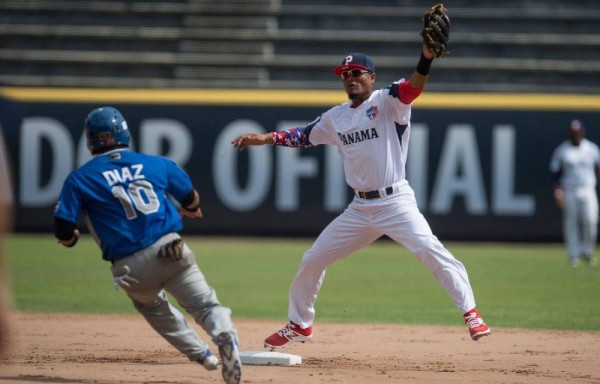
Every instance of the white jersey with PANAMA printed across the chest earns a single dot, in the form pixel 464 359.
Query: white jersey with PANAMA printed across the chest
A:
pixel 372 138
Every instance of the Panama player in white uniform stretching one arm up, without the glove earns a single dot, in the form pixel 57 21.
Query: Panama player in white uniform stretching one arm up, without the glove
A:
pixel 371 132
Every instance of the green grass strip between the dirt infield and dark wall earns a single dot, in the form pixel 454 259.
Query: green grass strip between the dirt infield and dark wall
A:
pixel 516 285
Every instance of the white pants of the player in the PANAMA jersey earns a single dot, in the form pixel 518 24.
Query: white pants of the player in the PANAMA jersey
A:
pixel 361 224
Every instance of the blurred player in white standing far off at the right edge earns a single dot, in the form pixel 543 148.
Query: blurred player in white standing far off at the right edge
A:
pixel 575 167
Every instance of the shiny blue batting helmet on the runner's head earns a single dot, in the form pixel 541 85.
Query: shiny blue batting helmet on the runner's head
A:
pixel 105 127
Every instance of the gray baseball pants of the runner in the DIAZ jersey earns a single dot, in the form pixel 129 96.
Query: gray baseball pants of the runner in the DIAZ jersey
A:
pixel 185 282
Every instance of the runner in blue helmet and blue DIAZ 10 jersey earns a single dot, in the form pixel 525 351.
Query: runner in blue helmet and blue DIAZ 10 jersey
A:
pixel 126 200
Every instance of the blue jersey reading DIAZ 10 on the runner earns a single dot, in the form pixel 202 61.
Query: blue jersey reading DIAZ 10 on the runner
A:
pixel 123 194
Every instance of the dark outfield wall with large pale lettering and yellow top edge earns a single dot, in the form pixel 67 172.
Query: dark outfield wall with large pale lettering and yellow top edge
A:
pixel 478 163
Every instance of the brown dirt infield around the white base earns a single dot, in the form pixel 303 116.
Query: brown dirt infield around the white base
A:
pixel 124 349
